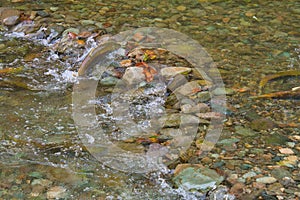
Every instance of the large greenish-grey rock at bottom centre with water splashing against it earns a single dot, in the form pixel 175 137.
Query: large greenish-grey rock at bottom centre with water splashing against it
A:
pixel 196 177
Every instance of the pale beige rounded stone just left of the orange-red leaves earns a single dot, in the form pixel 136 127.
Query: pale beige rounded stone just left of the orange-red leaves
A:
pixel 133 75
